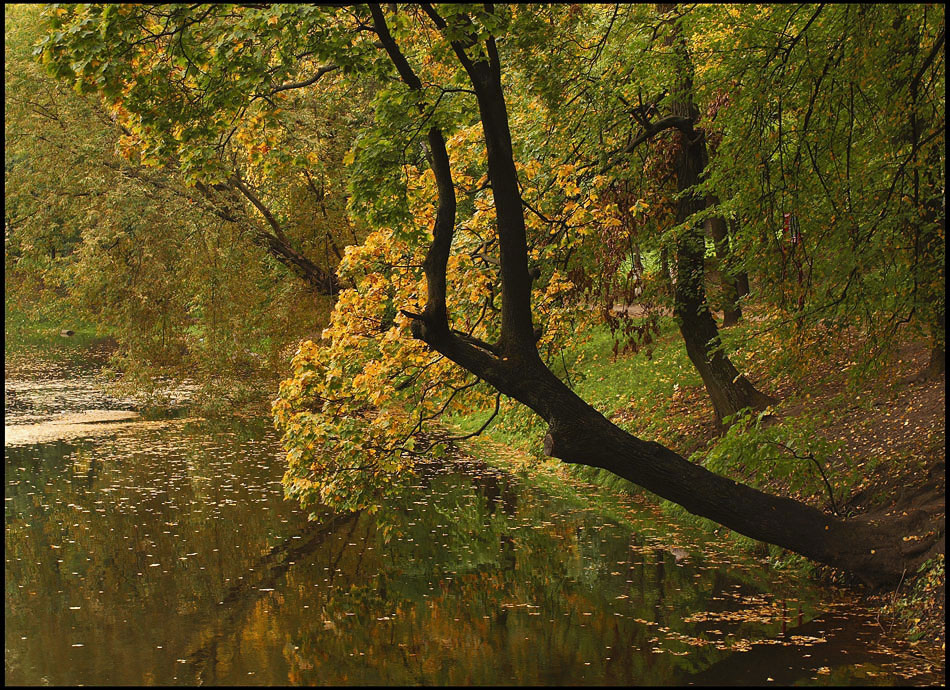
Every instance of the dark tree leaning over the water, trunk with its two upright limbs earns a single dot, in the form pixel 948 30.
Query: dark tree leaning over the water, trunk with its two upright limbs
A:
pixel 577 433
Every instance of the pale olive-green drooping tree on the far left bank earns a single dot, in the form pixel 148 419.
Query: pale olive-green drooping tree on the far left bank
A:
pixel 135 249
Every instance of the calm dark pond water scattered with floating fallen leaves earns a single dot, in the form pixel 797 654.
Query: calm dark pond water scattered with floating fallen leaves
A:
pixel 162 553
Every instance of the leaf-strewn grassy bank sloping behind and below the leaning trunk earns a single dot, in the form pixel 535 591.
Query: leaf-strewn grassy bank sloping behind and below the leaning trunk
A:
pixel 880 442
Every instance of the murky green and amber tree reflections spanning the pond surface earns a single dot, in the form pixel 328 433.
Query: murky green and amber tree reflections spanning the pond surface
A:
pixel 481 580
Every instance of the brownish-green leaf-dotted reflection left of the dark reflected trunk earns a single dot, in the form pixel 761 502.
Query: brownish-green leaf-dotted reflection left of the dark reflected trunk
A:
pixel 87 525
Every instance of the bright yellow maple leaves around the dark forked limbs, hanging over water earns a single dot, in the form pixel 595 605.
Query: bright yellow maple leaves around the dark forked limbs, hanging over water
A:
pixel 355 412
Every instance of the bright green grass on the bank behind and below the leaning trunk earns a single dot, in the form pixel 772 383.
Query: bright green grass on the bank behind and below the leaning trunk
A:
pixel 659 398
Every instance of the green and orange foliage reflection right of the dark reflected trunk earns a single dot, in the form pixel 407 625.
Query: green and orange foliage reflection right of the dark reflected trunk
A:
pixel 467 593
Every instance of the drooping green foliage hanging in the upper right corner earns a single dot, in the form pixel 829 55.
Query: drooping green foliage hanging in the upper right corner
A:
pixel 834 126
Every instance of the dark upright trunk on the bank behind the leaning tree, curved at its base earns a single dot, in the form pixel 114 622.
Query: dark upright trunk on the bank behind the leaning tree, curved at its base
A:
pixel 727 388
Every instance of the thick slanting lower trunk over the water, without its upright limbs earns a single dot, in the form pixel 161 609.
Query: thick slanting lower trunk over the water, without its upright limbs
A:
pixel 579 434
